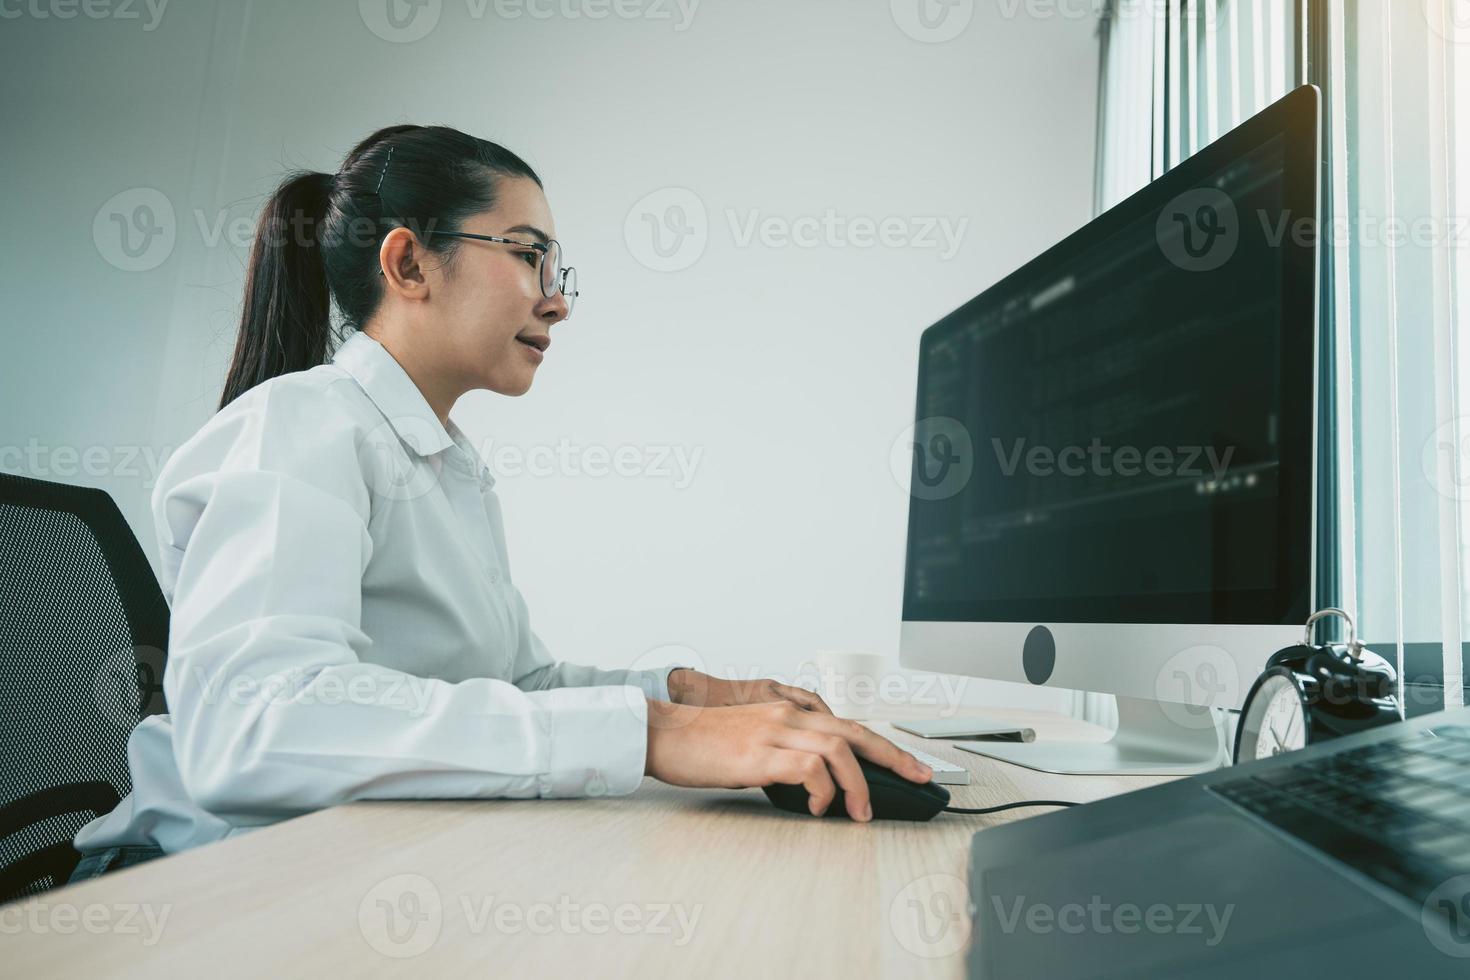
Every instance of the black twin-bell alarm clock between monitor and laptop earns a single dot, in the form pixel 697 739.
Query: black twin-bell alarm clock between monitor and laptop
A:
pixel 1311 694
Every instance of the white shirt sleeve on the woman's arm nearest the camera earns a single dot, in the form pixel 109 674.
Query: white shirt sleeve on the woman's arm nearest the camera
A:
pixel 274 710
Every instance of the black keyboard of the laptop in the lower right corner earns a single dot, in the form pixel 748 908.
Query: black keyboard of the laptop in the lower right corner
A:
pixel 1397 810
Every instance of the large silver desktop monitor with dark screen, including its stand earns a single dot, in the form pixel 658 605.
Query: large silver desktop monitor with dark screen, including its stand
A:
pixel 1114 475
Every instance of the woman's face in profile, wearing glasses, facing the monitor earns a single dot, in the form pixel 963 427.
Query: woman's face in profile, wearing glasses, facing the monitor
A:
pixel 487 306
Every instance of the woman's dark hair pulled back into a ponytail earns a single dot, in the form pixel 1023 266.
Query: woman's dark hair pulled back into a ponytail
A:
pixel 318 240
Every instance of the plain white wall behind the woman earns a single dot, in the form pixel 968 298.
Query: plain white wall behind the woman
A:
pixel 789 370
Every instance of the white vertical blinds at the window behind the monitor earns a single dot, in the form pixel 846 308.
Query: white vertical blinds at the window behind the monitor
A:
pixel 1396 381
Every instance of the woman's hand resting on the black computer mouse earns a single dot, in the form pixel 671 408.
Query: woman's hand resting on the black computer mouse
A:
pixel 764 744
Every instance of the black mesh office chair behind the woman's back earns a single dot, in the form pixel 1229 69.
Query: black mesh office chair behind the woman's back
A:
pixel 83 638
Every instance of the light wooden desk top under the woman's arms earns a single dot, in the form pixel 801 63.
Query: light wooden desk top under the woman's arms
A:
pixel 708 884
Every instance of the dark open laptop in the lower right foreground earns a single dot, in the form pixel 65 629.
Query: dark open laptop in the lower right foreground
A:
pixel 1349 859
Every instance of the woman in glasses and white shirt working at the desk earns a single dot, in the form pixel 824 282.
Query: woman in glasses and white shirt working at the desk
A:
pixel 343 619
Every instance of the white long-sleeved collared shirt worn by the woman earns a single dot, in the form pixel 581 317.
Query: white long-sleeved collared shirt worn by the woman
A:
pixel 345 625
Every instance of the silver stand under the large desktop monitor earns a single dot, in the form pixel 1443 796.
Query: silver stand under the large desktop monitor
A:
pixel 1147 743
